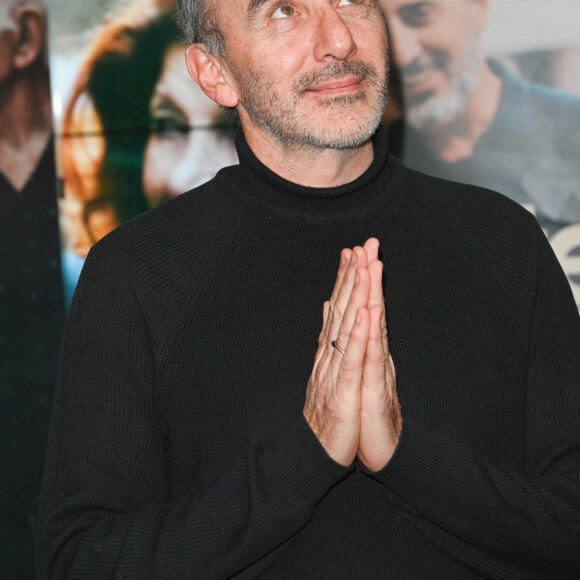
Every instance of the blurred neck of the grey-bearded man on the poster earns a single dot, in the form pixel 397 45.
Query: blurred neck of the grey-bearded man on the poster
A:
pixel 456 139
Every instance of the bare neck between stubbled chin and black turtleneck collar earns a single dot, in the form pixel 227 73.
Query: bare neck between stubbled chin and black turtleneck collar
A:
pixel 308 166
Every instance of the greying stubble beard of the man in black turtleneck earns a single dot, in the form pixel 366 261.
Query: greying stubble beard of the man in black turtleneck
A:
pixel 279 112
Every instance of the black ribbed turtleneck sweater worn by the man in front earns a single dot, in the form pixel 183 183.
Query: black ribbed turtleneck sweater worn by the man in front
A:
pixel 178 448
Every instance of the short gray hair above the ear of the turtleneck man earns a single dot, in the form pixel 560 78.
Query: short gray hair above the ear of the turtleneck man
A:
pixel 198 24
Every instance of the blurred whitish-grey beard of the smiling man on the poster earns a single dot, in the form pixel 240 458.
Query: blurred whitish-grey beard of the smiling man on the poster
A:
pixel 441 109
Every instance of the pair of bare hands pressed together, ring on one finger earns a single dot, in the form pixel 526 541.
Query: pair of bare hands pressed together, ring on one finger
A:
pixel 351 400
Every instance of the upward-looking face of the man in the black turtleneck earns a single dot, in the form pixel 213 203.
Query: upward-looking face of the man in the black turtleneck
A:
pixel 309 72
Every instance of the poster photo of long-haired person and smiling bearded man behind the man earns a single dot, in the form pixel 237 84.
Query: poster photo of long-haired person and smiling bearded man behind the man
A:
pixel 494 104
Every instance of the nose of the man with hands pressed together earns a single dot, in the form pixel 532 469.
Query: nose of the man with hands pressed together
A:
pixel 333 36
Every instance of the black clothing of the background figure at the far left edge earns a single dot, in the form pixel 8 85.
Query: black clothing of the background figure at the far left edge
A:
pixel 31 321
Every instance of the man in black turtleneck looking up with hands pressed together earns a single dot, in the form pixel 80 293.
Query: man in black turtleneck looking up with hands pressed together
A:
pixel 183 444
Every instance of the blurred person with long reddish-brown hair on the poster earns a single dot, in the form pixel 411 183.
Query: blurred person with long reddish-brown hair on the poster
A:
pixel 136 130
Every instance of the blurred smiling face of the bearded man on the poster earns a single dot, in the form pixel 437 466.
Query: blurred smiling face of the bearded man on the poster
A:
pixel 435 44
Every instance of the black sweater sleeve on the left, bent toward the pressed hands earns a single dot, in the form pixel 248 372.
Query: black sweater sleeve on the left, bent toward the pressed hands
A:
pixel 106 510
